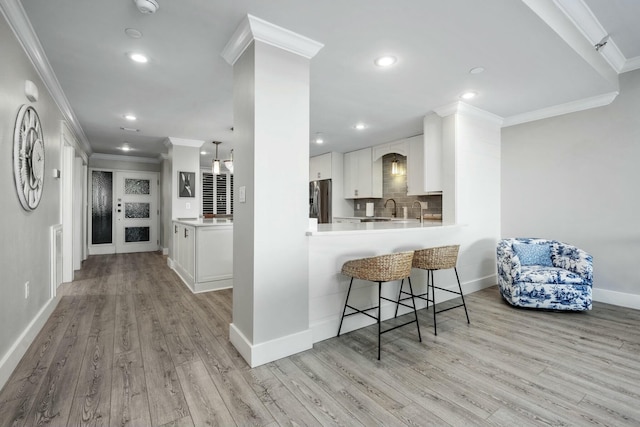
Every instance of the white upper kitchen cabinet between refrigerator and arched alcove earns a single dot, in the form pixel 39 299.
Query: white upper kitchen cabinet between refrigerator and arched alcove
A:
pixel 362 175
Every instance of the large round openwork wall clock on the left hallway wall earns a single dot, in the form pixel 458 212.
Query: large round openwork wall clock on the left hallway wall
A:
pixel 28 157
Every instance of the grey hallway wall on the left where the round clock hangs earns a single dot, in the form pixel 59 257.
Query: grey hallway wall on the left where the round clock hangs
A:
pixel 24 253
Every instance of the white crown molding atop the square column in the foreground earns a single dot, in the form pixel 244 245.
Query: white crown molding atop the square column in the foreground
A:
pixel 252 28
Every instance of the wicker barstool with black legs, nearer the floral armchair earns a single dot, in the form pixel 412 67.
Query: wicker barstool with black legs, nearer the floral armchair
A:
pixel 440 258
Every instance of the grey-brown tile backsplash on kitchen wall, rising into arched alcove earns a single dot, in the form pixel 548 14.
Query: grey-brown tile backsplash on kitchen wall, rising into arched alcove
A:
pixel 395 187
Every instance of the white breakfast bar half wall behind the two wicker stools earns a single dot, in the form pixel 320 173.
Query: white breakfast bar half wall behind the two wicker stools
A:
pixel 330 245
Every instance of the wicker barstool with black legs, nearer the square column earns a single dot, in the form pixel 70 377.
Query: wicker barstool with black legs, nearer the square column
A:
pixel 383 268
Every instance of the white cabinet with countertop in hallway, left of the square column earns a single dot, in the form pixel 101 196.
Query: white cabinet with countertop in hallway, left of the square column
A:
pixel 202 253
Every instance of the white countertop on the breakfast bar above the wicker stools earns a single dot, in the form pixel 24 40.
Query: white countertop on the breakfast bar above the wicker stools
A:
pixel 337 228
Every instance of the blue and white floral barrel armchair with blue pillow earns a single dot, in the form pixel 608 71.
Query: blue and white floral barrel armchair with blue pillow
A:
pixel 543 273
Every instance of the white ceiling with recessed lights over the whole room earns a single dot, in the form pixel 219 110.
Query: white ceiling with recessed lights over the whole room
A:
pixel 538 59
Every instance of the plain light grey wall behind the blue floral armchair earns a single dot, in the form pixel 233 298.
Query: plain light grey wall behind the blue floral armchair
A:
pixel 575 178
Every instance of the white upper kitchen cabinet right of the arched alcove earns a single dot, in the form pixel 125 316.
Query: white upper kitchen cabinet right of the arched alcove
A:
pixel 424 162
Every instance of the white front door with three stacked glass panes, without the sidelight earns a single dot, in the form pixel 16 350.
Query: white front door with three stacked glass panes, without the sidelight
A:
pixel 136 212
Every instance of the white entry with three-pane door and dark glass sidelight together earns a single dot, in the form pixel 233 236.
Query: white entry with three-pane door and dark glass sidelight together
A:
pixel 123 212
